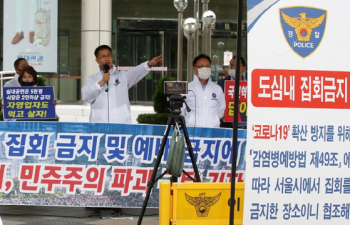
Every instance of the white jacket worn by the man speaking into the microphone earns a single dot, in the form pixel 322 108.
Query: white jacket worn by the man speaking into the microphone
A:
pixel 112 106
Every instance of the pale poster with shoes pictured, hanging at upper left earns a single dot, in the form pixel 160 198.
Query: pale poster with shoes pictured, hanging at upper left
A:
pixel 30 32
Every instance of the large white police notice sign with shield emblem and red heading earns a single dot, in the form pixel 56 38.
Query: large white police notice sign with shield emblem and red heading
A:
pixel 299 126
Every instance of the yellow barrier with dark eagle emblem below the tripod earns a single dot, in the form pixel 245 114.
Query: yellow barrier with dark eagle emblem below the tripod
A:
pixel 199 203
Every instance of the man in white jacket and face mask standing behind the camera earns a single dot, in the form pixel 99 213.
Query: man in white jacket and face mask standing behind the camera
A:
pixel 205 98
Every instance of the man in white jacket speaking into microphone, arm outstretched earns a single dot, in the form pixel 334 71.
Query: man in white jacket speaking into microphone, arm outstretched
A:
pixel 107 90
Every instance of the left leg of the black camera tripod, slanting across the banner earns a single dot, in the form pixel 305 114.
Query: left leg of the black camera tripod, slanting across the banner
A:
pixel 156 166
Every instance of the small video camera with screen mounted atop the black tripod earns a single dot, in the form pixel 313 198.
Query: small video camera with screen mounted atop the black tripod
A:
pixel 175 88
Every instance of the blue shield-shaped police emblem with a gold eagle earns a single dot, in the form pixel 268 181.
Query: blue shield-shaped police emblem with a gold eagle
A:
pixel 303 28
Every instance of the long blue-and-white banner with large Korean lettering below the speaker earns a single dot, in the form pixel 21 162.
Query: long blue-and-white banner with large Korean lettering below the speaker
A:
pixel 101 165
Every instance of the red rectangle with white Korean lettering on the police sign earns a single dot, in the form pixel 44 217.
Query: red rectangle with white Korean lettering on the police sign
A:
pixel 300 89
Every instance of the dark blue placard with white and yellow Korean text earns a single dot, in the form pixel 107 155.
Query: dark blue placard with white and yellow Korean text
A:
pixel 29 103
